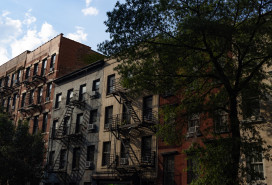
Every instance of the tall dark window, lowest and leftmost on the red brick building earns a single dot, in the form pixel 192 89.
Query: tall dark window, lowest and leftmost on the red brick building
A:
pixel 169 170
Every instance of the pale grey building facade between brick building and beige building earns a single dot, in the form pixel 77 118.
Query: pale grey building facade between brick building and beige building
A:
pixel 75 124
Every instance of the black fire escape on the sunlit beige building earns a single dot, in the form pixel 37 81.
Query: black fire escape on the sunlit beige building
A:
pixel 129 127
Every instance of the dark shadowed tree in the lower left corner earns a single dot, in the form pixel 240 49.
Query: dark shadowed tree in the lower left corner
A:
pixel 21 154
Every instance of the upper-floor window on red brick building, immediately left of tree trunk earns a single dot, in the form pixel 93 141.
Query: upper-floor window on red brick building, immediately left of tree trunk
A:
pixel 221 122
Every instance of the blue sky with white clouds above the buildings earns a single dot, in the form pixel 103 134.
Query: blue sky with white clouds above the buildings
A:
pixel 26 24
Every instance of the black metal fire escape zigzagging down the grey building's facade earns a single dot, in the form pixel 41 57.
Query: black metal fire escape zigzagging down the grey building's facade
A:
pixel 68 140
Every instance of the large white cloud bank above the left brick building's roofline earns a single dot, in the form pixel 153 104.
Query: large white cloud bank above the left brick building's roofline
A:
pixel 18 35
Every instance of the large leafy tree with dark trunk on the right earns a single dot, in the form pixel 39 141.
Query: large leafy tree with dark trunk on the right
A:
pixel 208 53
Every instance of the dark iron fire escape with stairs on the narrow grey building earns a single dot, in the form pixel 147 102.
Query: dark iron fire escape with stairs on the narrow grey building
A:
pixel 65 139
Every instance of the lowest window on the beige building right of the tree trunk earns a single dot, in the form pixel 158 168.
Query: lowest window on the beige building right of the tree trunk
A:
pixel 256 164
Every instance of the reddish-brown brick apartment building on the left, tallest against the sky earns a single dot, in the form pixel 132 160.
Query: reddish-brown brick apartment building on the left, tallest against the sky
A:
pixel 26 81
